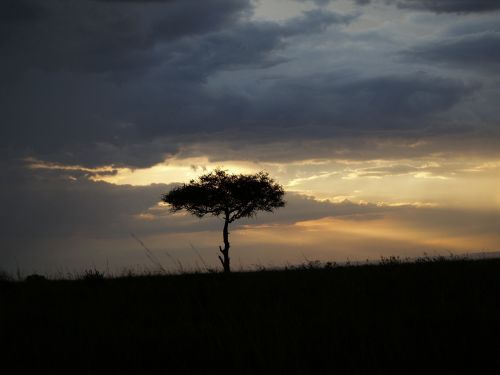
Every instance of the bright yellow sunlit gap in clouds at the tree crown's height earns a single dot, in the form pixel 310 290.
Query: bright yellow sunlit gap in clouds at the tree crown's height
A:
pixel 447 182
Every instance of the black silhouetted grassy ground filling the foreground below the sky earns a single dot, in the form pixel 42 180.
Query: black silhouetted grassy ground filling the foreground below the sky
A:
pixel 392 318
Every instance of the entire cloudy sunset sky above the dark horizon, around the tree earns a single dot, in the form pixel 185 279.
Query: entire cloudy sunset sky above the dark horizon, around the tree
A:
pixel 380 119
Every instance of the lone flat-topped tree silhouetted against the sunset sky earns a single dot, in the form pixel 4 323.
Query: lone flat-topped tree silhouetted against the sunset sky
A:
pixel 229 196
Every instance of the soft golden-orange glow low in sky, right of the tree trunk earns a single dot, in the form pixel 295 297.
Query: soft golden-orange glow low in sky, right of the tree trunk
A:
pixel 329 238
